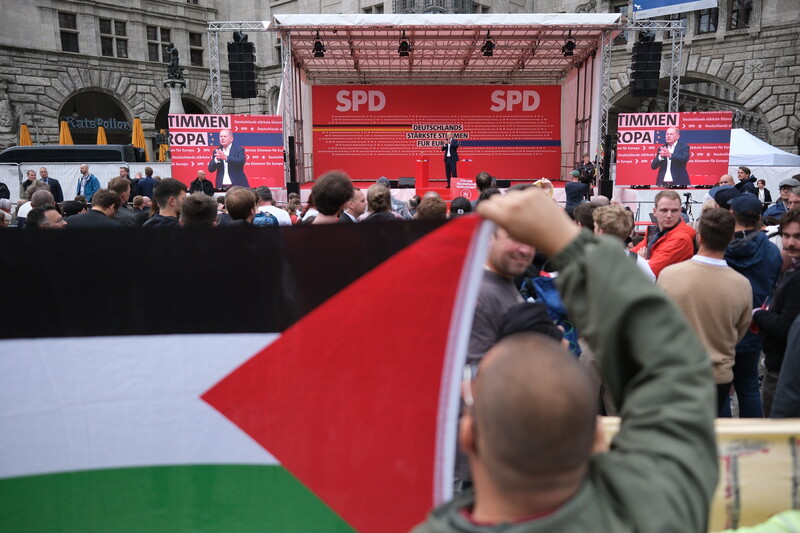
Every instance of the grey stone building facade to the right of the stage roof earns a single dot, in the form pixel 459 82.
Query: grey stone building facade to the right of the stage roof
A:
pixel 745 63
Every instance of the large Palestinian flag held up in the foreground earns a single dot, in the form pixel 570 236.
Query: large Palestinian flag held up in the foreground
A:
pixel 278 379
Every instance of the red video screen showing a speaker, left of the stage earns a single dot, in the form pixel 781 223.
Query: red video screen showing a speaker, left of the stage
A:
pixel 254 144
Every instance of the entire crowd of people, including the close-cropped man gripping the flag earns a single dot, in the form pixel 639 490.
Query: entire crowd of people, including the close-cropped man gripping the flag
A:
pixel 662 329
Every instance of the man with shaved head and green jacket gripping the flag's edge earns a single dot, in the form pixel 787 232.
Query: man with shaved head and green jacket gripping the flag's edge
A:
pixel 530 432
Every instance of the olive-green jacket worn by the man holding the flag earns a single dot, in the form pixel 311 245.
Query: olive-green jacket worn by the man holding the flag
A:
pixel 661 471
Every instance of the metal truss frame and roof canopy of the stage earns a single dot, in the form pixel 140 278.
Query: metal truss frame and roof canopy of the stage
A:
pixel 444 49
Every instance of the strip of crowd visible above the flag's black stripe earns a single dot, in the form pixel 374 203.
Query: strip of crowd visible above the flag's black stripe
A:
pixel 150 201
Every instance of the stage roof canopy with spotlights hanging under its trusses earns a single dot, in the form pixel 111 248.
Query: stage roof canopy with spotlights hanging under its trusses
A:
pixel 441 53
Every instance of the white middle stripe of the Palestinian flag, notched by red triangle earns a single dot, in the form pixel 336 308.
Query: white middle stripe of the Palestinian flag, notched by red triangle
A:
pixel 109 402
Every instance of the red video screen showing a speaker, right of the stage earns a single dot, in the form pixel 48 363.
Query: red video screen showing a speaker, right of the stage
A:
pixel 666 149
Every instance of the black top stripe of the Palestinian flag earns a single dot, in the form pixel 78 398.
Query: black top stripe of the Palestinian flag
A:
pixel 148 282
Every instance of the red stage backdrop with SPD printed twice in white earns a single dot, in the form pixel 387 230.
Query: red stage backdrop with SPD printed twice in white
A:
pixel 512 132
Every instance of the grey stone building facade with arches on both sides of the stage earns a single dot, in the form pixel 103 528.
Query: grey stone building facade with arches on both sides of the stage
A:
pixel 84 60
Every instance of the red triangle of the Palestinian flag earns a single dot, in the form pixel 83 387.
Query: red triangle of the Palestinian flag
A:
pixel 350 399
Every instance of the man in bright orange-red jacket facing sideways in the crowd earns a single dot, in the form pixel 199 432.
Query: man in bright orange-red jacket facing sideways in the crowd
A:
pixel 674 241
